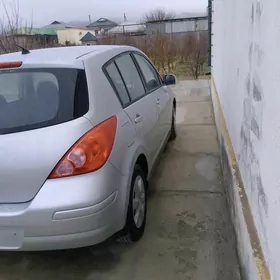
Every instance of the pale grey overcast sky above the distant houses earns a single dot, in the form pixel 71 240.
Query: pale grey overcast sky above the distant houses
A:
pixel 46 11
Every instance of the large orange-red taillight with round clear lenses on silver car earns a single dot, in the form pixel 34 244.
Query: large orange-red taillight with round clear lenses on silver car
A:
pixel 90 153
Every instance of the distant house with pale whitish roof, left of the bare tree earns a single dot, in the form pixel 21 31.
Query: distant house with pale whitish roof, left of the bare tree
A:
pixel 129 28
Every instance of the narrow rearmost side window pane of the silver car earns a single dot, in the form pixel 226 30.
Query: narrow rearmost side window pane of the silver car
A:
pixel 117 81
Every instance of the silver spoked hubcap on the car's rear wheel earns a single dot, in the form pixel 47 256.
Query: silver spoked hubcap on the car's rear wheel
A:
pixel 139 201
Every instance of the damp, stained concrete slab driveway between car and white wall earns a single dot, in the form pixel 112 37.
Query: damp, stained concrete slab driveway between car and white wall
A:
pixel 188 234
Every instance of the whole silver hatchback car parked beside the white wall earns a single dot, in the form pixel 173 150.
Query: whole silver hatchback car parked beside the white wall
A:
pixel 80 131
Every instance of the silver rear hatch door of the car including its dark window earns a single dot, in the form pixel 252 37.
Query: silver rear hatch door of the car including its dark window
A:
pixel 41 113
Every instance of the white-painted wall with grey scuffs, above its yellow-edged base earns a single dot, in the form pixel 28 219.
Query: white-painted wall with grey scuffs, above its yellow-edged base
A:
pixel 246 70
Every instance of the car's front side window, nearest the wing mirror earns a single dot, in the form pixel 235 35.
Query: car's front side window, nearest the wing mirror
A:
pixel 150 75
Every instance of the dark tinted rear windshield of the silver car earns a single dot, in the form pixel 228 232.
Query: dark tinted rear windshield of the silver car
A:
pixel 36 98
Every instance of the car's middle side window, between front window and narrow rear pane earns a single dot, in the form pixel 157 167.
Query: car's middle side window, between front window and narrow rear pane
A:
pixel 130 76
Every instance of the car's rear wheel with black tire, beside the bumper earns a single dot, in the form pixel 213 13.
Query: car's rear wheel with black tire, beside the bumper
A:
pixel 135 227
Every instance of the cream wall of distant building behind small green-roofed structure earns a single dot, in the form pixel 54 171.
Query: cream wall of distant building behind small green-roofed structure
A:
pixel 71 35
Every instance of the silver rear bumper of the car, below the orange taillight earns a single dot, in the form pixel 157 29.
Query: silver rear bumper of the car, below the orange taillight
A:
pixel 66 213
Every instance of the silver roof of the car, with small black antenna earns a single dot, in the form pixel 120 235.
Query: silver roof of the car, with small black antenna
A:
pixel 61 55
